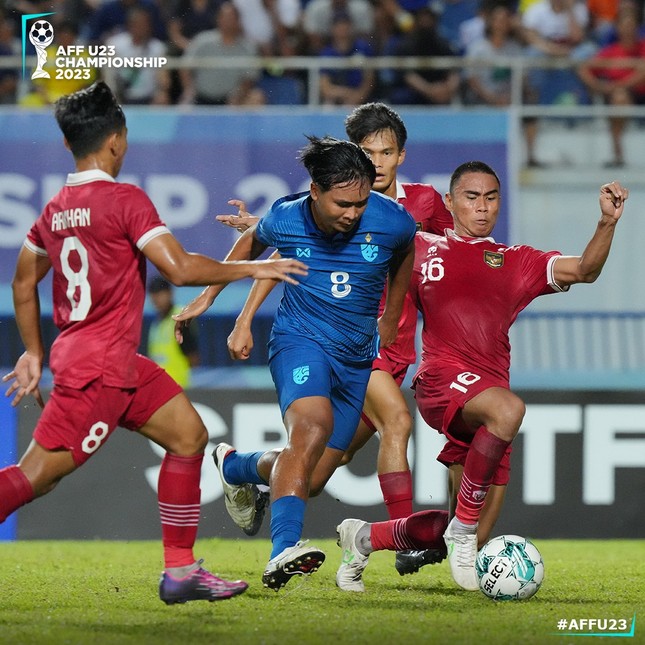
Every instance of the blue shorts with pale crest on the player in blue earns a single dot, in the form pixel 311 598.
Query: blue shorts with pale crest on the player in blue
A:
pixel 301 368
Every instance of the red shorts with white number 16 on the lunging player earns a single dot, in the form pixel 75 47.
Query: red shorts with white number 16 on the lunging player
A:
pixel 440 397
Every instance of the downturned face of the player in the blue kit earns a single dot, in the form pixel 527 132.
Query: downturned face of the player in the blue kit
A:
pixel 339 209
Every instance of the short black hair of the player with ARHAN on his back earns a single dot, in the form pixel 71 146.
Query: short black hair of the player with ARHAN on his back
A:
pixel 87 117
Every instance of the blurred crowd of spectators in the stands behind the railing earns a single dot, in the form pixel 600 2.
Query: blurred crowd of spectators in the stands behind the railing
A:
pixel 585 32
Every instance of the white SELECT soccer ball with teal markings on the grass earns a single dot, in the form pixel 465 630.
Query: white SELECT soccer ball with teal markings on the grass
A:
pixel 509 567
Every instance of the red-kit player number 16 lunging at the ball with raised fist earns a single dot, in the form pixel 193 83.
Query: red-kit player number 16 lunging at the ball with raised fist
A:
pixel 470 290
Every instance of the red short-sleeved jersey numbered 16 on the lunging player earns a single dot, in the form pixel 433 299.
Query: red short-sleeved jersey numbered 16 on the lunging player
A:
pixel 470 292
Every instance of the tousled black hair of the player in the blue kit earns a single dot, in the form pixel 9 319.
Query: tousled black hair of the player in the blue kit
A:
pixel 334 162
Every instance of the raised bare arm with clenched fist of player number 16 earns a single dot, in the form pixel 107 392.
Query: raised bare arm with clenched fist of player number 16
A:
pixel 587 267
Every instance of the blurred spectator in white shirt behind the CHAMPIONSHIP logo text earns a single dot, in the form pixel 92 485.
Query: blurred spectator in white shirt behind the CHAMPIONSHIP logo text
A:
pixel 138 85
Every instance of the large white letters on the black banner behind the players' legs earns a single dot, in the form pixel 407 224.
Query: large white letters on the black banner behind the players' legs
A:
pixel 259 427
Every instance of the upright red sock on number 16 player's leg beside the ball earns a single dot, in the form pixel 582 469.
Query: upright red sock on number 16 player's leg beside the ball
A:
pixel 484 456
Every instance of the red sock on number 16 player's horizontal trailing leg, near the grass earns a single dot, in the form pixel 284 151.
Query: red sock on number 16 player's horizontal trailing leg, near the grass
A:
pixel 422 530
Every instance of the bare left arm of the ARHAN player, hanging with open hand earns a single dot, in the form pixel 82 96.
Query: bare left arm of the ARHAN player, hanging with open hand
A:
pixel 31 268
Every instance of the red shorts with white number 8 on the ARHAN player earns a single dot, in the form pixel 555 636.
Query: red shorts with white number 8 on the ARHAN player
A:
pixel 82 420
